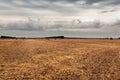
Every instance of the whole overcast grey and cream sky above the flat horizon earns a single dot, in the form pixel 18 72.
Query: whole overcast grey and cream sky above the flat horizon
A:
pixel 72 18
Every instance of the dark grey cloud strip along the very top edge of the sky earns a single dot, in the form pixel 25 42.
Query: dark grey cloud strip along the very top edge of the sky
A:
pixel 28 3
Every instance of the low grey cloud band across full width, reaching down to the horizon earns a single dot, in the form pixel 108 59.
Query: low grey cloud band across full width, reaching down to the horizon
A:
pixel 89 28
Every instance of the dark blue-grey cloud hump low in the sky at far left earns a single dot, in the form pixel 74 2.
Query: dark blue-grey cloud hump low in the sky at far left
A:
pixel 21 25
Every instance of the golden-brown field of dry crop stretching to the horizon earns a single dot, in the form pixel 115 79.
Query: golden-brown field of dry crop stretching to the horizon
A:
pixel 73 59
